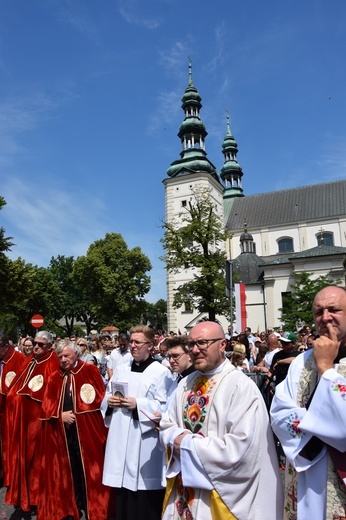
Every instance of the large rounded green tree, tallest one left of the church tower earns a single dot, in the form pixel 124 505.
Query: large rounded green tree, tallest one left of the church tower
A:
pixel 113 278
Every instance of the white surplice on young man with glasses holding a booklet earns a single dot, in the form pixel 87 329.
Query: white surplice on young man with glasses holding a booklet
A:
pixel 133 457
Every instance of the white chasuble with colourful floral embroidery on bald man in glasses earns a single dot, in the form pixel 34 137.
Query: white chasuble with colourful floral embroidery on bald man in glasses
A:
pixel 230 453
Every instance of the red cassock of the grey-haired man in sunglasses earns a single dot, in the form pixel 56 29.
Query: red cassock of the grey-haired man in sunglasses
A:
pixel 23 409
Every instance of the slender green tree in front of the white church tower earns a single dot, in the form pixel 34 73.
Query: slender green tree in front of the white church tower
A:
pixel 196 241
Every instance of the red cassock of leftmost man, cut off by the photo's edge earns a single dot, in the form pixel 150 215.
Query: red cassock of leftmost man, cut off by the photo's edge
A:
pixel 11 367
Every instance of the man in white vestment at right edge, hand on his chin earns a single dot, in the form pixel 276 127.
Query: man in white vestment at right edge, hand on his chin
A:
pixel 309 417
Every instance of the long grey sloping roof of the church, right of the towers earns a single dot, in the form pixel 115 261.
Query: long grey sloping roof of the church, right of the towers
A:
pixel 305 203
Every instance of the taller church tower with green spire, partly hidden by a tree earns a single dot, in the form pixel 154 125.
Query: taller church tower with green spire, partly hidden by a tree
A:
pixel 192 171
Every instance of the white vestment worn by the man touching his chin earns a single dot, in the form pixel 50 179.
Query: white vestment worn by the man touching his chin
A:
pixel 294 425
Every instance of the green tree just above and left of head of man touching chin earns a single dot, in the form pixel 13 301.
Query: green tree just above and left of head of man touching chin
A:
pixel 297 304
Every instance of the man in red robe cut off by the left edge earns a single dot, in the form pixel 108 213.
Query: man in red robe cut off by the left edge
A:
pixel 11 362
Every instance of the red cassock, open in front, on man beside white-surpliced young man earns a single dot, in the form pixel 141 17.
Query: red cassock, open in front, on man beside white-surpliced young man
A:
pixel 57 498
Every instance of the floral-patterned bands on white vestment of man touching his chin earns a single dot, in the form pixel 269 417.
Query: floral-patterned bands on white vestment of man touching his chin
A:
pixel 336 492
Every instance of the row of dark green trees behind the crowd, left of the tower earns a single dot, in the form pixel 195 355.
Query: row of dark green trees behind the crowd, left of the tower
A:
pixel 106 286
